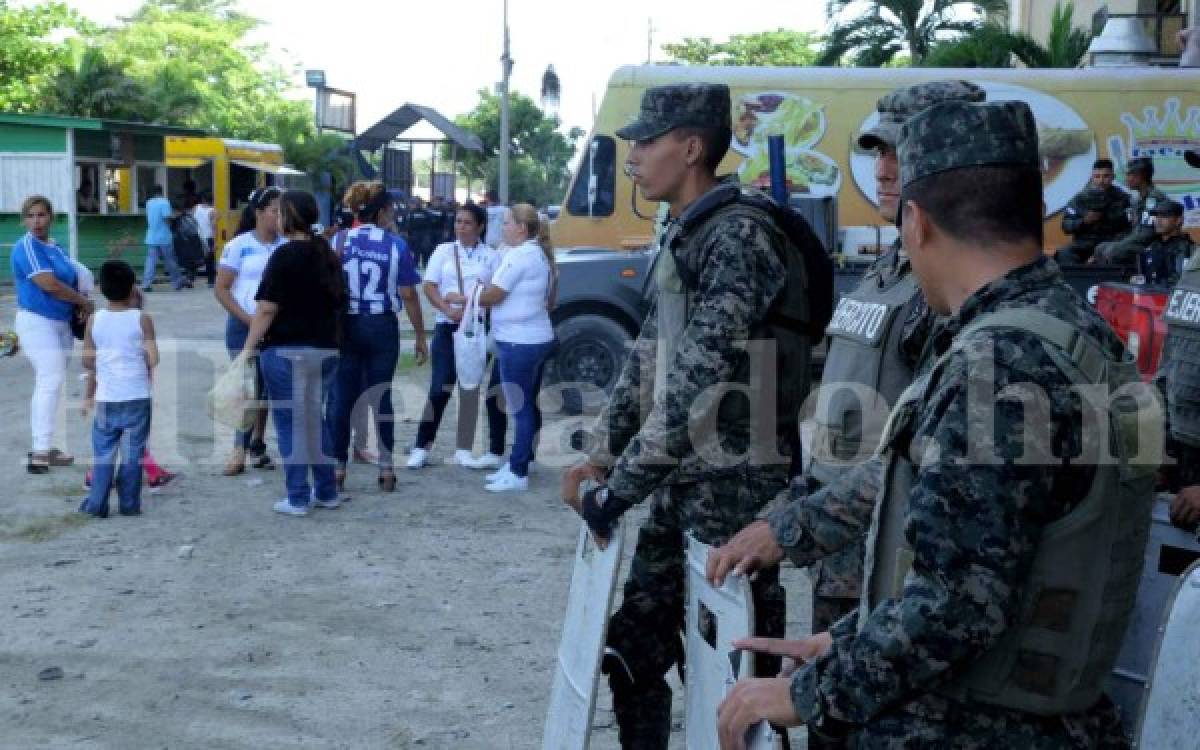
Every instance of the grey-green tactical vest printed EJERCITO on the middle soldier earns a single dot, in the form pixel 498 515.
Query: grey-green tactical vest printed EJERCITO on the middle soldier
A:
pixel 863 374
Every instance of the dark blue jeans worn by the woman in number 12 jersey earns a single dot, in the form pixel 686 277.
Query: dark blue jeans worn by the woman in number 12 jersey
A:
pixel 365 369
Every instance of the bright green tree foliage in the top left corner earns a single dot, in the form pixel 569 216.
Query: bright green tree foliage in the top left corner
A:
pixel 31 57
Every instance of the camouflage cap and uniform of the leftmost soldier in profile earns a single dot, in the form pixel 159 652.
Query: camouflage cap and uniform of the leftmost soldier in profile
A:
pixel 644 435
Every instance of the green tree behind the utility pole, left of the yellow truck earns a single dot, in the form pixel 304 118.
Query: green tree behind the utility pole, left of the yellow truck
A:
pixel 539 155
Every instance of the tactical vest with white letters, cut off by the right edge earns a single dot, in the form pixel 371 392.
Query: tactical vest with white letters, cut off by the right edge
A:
pixel 1183 363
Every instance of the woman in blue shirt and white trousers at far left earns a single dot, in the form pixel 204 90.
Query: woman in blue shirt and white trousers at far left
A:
pixel 46 301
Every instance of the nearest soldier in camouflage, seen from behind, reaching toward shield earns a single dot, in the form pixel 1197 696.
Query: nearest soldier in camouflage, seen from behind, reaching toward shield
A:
pixel 967 639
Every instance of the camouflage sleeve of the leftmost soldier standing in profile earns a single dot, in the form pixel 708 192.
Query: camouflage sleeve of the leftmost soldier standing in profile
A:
pixel 737 286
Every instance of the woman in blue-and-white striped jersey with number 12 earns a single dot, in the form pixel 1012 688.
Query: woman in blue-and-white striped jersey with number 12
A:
pixel 380 274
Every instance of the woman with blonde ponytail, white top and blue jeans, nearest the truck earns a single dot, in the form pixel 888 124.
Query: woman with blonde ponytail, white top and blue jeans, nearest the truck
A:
pixel 521 297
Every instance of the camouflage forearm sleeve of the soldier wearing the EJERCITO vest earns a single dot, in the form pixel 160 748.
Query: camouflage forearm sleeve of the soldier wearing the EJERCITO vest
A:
pixel 815 526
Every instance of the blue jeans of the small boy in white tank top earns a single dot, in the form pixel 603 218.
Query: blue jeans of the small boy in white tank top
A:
pixel 119 427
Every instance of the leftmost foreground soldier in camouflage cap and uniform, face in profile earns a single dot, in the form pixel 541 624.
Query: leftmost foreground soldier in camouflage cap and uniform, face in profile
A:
pixel 719 274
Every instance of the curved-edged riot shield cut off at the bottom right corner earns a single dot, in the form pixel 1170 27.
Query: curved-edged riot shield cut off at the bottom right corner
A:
pixel 1169 717
